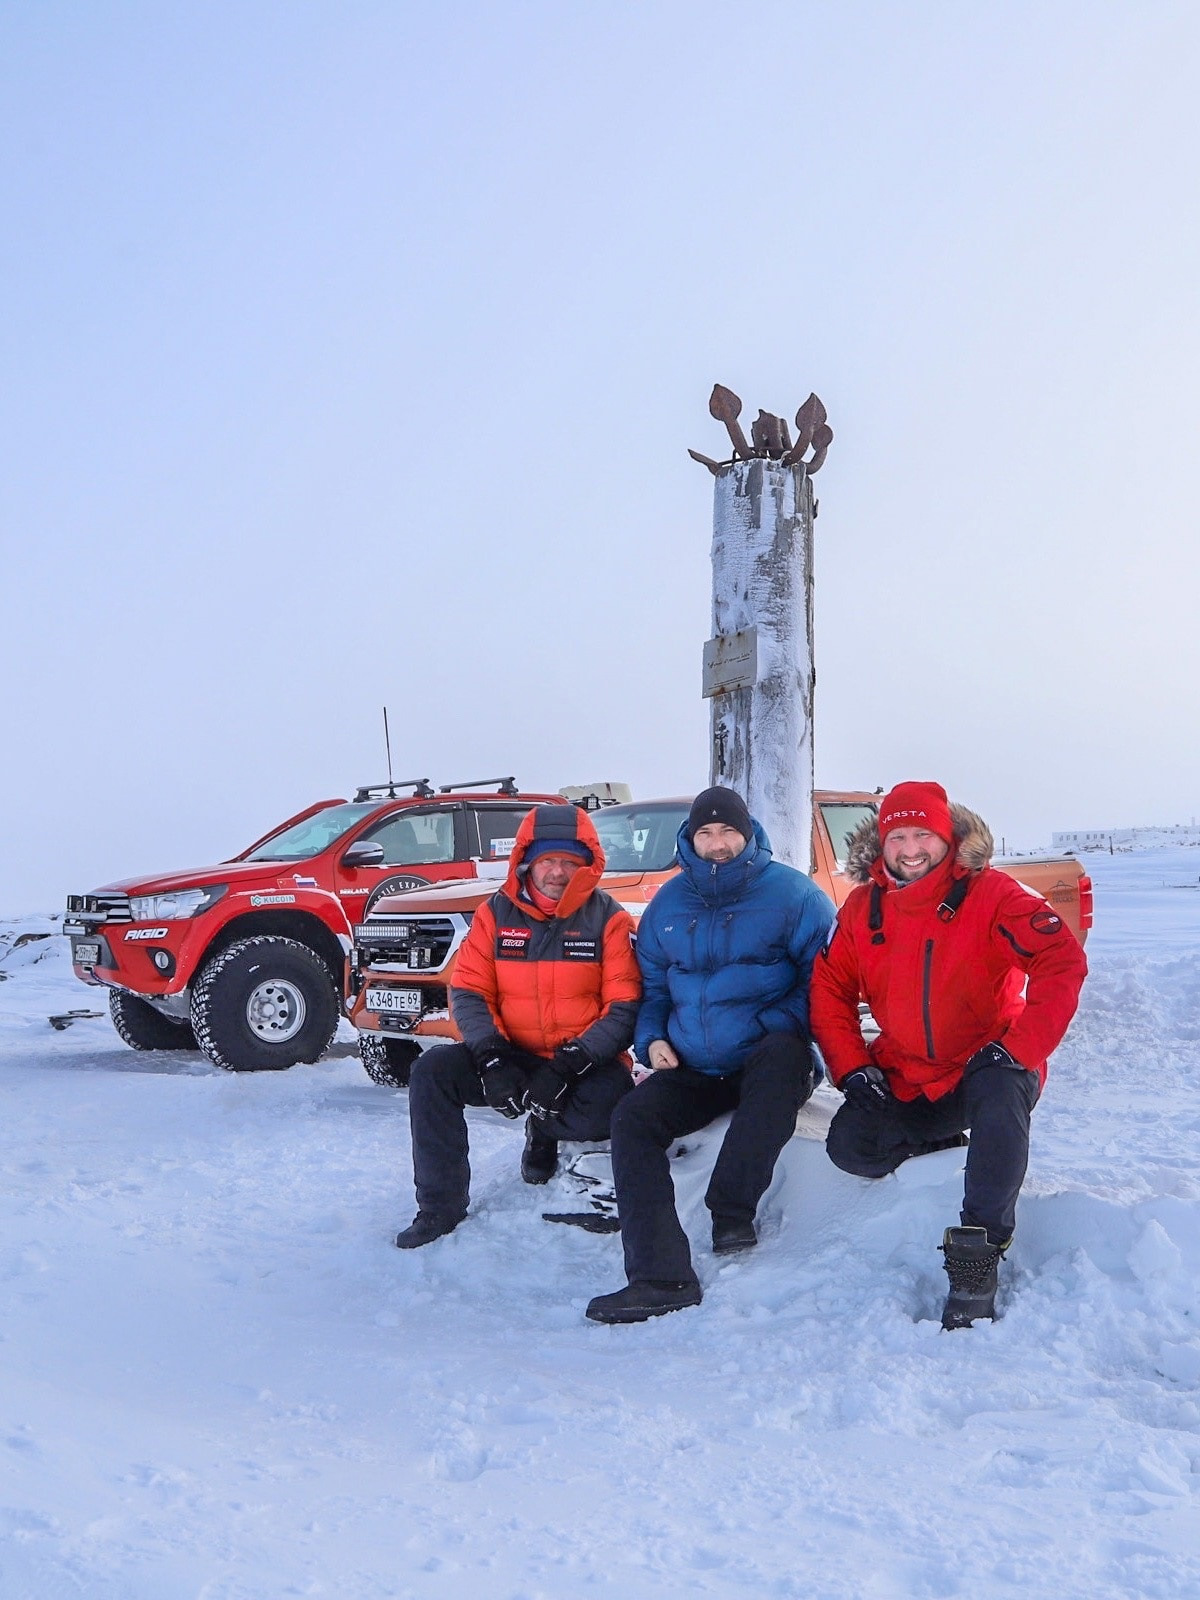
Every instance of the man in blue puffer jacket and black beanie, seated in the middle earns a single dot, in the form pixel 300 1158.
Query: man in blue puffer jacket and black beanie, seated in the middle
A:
pixel 726 951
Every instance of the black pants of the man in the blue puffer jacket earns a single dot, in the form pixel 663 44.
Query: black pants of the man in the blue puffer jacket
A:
pixel 764 1097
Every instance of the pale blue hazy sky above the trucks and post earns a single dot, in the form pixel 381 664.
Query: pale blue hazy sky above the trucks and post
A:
pixel 351 354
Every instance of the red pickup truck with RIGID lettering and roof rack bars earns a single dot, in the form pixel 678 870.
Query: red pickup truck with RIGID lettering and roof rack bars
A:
pixel 246 959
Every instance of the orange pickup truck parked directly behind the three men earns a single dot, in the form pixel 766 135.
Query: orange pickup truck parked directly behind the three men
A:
pixel 402 959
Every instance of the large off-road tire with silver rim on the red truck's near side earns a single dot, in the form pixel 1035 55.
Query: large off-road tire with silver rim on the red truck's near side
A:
pixel 236 983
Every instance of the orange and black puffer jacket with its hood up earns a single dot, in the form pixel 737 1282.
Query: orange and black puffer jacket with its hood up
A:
pixel 540 978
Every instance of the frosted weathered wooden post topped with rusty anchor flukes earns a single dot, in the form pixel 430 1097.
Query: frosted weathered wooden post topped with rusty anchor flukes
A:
pixel 759 665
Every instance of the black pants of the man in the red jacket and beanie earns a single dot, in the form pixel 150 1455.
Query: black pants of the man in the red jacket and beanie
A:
pixel 994 1103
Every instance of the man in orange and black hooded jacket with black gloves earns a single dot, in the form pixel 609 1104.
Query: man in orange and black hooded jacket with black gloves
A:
pixel 545 996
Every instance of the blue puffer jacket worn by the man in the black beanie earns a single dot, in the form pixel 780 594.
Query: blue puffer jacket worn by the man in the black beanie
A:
pixel 726 953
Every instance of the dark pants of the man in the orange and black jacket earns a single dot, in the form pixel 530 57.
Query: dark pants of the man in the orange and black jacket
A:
pixel 446 1079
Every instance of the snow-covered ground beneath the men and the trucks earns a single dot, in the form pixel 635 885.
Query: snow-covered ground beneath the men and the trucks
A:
pixel 220 1380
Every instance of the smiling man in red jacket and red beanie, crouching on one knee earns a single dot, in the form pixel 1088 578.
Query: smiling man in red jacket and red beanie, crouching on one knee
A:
pixel 972 982
